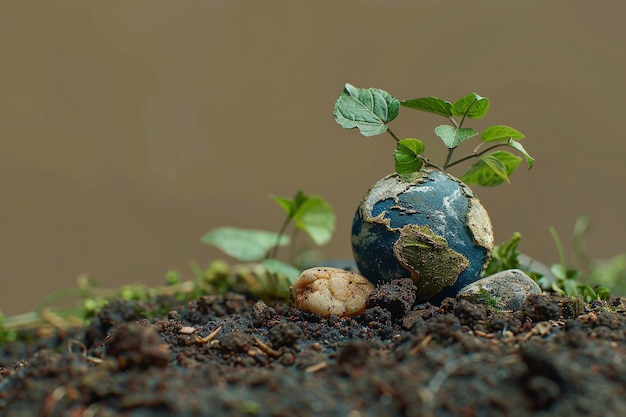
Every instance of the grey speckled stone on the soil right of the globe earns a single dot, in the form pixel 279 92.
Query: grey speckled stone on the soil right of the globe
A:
pixel 506 290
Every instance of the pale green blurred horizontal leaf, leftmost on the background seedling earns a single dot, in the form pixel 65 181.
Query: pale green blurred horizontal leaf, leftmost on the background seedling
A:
pixel 246 245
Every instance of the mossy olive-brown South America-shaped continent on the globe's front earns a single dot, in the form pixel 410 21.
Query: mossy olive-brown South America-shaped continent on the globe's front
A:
pixel 432 263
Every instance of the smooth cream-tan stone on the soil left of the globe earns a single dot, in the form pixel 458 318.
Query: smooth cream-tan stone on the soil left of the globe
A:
pixel 327 291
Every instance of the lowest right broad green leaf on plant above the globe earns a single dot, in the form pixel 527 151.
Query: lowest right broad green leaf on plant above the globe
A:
pixel 492 169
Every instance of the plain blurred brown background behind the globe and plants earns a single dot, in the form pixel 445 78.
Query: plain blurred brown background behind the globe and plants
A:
pixel 130 128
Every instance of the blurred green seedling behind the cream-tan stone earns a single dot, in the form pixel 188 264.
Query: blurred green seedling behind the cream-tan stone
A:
pixel 310 214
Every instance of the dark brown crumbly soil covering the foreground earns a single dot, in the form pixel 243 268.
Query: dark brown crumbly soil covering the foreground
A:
pixel 555 357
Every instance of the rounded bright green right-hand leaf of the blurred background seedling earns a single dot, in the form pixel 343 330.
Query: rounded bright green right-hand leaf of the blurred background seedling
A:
pixel 317 218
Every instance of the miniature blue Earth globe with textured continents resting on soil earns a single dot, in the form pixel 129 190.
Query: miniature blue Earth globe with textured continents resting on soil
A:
pixel 431 229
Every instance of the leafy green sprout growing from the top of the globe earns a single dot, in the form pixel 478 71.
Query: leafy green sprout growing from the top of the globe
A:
pixel 371 110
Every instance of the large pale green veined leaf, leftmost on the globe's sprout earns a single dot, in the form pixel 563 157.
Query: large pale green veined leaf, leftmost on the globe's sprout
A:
pixel 368 109
